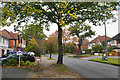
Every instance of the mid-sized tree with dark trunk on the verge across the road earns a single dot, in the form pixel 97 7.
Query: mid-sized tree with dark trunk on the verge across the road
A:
pixel 81 30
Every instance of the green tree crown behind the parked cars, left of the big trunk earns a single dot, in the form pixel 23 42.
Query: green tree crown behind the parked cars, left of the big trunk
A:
pixel 32 31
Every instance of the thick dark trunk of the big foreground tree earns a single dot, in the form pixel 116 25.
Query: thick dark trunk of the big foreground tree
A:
pixel 60 50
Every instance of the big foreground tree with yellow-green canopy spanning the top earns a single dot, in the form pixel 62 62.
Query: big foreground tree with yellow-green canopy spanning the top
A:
pixel 61 13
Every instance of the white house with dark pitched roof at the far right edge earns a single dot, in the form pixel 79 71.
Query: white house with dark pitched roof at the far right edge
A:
pixel 115 41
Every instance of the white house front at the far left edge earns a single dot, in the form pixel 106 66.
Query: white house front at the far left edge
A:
pixel 4 44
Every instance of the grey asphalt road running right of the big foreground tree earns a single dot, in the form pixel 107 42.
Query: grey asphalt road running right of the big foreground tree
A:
pixel 89 69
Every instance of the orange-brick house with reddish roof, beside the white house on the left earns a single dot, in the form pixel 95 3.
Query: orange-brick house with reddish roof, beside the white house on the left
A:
pixel 15 40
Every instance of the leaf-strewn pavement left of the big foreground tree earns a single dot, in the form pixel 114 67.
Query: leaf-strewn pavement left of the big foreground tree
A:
pixel 45 71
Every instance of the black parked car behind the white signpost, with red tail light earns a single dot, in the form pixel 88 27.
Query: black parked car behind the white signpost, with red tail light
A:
pixel 24 57
